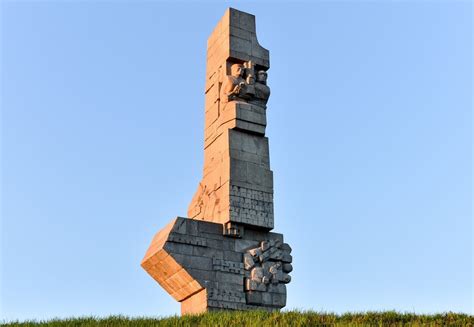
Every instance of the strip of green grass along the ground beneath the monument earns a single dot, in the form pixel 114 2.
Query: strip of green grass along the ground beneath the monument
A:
pixel 259 318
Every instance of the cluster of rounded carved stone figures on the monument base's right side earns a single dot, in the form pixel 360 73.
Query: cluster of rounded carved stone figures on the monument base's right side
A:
pixel 267 268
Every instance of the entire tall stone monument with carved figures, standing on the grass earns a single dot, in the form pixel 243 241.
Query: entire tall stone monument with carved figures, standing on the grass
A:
pixel 224 257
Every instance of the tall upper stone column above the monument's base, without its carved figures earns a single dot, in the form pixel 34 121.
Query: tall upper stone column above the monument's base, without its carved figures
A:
pixel 237 184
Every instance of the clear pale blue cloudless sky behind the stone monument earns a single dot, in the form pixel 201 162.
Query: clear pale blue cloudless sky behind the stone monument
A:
pixel 370 128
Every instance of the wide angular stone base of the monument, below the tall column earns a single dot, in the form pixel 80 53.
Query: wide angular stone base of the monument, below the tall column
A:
pixel 206 270
